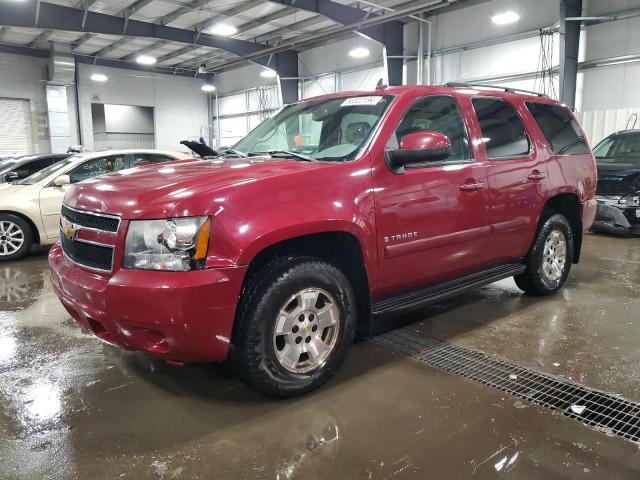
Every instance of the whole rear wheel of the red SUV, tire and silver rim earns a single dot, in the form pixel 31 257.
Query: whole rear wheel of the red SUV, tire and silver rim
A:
pixel 550 257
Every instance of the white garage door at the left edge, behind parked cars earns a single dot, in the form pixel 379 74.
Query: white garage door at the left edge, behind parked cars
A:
pixel 15 126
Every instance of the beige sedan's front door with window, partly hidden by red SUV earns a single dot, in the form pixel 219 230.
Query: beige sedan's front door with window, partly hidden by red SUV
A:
pixel 51 196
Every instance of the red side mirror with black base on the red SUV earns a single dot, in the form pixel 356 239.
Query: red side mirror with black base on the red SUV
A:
pixel 420 147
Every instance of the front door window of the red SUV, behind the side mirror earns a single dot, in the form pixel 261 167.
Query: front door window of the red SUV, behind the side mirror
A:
pixel 436 114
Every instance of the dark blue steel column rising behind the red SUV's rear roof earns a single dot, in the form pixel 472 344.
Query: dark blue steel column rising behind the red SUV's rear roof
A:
pixel 569 45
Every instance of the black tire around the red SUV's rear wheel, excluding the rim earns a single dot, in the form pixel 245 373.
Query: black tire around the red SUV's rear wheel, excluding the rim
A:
pixel 534 280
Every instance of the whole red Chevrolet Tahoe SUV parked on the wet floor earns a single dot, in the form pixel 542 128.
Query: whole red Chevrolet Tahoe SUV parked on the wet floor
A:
pixel 334 211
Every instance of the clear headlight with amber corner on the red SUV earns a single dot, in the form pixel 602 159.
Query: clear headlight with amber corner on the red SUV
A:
pixel 176 244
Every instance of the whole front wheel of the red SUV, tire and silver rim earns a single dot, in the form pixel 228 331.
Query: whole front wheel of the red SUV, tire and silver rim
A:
pixel 294 327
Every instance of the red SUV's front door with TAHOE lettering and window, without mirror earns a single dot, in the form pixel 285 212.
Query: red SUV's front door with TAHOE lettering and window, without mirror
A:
pixel 432 219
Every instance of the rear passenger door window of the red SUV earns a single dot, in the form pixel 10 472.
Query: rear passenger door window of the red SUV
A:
pixel 502 131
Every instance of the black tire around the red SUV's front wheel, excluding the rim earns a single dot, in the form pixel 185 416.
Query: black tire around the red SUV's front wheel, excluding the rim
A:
pixel 253 351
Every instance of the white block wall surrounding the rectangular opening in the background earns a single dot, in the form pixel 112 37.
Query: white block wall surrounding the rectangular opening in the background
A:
pixel 180 107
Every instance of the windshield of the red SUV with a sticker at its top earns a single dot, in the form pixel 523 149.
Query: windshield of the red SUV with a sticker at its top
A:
pixel 331 130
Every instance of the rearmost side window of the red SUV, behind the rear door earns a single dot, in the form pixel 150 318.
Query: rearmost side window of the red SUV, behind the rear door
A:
pixel 559 128
